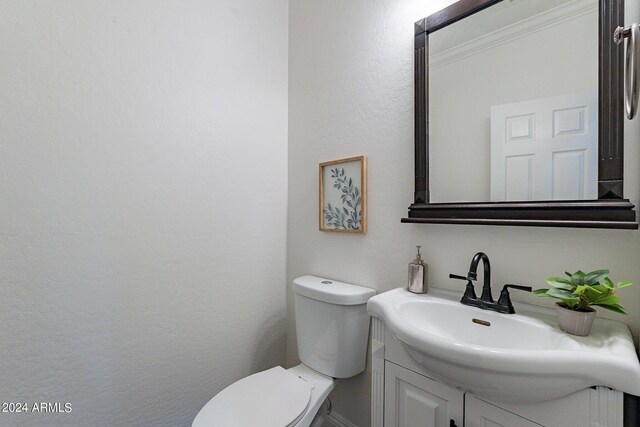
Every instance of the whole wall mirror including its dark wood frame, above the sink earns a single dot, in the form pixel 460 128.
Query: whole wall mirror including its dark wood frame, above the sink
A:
pixel 519 115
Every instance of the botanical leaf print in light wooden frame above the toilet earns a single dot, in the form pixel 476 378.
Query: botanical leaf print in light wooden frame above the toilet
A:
pixel 343 195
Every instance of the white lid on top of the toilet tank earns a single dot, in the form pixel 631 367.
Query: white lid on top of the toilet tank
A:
pixel 331 291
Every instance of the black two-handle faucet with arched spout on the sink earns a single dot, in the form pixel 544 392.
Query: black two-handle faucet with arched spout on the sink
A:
pixel 486 301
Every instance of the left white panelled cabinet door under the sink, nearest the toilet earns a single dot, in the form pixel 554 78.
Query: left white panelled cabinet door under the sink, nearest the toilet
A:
pixel 413 400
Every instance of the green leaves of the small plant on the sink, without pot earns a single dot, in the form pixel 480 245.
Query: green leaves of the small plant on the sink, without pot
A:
pixel 579 291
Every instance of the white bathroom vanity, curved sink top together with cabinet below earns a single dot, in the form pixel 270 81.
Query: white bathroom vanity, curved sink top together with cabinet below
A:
pixel 412 389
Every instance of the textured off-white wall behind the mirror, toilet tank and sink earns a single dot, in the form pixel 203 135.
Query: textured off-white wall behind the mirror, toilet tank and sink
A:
pixel 351 93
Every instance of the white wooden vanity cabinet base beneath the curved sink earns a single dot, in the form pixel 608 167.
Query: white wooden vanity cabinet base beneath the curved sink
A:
pixel 405 395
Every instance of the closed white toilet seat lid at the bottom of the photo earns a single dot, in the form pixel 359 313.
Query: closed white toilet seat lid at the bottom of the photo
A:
pixel 271 398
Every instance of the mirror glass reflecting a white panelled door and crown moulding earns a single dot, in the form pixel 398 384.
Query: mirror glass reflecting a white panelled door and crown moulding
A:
pixel 513 104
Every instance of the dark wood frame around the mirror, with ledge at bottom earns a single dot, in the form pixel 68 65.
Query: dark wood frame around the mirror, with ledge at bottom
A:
pixel 610 210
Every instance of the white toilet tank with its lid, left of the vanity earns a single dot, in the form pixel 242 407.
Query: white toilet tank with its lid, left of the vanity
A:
pixel 332 325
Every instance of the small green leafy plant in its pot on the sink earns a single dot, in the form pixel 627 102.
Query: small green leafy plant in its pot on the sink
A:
pixel 578 293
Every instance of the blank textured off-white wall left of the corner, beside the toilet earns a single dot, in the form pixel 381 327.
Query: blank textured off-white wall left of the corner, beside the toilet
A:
pixel 143 215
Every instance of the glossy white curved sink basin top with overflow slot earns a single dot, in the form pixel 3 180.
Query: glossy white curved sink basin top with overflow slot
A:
pixel 522 357
